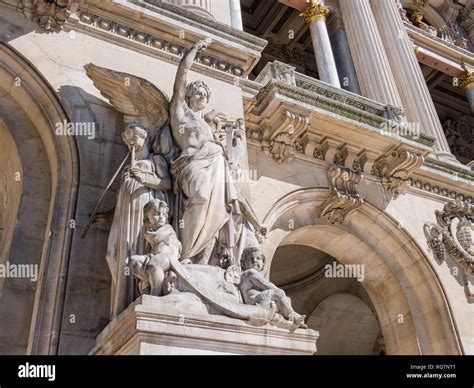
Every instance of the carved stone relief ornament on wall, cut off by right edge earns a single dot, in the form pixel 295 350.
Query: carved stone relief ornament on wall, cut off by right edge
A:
pixel 452 237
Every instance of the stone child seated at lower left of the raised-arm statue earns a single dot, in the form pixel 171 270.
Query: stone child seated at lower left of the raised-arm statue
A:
pixel 153 269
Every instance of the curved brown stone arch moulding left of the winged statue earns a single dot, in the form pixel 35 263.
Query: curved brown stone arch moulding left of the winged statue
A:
pixel 30 108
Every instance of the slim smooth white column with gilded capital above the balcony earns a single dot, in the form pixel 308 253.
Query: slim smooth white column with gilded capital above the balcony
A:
pixel 315 15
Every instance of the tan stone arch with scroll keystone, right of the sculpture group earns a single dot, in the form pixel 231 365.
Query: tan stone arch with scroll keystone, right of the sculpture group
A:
pixel 413 311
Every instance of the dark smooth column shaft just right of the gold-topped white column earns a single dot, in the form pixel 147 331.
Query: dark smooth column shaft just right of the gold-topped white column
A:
pixel 342 54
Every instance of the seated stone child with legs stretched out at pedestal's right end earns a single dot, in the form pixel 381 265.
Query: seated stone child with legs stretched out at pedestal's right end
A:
pixel 256 290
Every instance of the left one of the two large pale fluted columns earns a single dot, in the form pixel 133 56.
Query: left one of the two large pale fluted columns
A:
pixel 370 60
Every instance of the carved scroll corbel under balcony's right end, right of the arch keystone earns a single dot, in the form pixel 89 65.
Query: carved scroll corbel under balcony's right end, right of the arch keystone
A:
pixel 395 167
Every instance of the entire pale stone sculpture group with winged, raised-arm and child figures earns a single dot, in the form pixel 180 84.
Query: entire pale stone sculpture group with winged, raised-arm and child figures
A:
pixel 181 224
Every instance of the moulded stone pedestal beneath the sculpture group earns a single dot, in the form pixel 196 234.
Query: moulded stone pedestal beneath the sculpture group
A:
pixel 151 326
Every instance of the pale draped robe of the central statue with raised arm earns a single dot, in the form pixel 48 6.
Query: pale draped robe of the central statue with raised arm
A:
pixel 208 217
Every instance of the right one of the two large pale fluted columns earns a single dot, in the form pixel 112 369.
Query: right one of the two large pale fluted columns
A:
pixel 416 98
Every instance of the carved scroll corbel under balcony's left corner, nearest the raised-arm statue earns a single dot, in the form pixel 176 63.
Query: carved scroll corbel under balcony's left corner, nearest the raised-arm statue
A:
pixel 280 144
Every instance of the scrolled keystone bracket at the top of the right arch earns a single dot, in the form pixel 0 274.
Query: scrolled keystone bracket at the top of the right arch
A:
pixel 343 196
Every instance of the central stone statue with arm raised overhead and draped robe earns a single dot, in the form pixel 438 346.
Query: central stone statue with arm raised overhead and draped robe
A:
pixel 210 211
